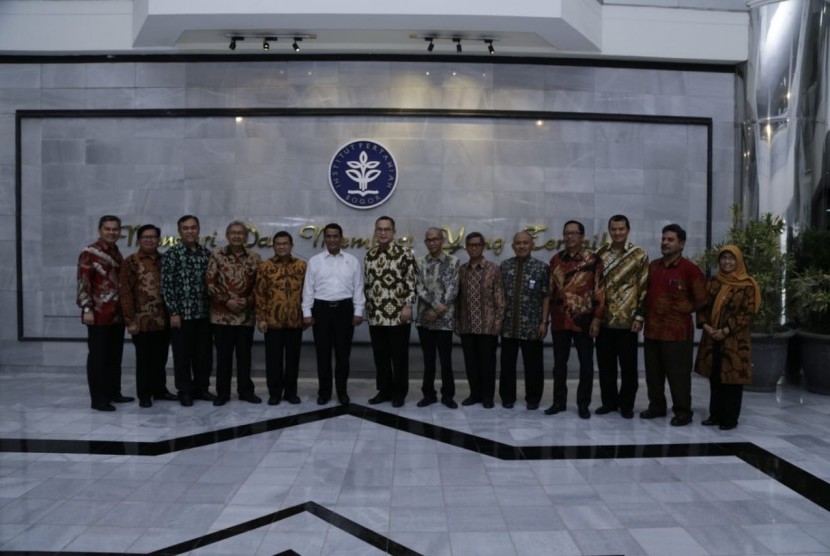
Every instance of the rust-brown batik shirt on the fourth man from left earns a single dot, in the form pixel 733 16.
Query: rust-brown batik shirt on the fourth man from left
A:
pixel 232 275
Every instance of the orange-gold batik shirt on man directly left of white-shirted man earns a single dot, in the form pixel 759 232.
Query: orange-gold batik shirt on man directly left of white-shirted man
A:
pixel 279 292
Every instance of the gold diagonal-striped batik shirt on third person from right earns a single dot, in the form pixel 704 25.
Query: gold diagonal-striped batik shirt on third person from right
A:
pixel 626 284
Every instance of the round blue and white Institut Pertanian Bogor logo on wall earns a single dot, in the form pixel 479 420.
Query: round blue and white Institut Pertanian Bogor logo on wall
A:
pixel 363 174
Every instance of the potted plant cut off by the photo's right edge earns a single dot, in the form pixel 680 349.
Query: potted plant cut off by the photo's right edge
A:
pixel 810 294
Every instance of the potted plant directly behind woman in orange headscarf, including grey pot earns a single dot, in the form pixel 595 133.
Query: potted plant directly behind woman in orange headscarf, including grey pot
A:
pixel 760 242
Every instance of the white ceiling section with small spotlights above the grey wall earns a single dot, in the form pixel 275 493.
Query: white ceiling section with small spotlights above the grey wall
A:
pixel 677 30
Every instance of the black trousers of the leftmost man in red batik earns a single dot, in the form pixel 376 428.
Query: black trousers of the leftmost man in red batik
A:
pixel 103 362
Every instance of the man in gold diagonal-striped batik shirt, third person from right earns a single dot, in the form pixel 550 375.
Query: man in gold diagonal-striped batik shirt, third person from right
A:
pixel 625 268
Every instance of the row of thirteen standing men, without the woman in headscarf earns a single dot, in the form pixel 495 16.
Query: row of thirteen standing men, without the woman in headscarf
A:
pixel 198 299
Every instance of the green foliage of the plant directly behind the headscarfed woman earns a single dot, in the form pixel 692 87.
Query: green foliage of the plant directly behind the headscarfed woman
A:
pixel 760 242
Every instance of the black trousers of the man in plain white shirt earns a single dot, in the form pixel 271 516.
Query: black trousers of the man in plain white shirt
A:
pixel 333 330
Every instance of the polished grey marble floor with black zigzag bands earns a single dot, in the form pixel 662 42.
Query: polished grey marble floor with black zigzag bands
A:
pixel 305 479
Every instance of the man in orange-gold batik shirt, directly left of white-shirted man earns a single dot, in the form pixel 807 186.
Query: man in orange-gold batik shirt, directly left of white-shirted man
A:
pixel 279 298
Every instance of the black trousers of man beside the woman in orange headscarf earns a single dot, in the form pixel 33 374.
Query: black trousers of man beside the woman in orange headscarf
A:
pixel 670 361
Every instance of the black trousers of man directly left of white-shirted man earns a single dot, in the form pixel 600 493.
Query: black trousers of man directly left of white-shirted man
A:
pixel 282 361
